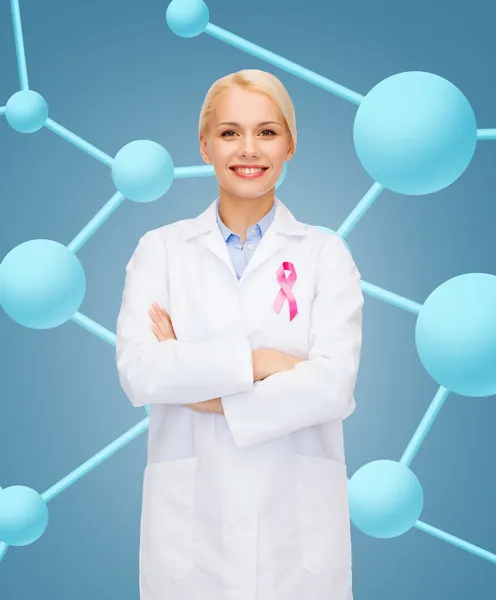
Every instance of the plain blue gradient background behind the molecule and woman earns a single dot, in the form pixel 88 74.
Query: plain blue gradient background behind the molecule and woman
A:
pixel 113 72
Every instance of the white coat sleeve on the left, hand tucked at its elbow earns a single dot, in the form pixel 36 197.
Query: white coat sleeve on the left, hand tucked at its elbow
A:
pixel 172 371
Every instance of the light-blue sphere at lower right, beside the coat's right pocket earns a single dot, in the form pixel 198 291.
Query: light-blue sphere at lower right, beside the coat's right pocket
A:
pixel 386 499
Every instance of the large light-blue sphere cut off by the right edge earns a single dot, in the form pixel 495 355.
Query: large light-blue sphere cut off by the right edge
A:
pixel 455 334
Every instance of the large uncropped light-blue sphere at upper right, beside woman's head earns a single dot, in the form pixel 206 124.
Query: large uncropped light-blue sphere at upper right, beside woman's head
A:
pixel 415 133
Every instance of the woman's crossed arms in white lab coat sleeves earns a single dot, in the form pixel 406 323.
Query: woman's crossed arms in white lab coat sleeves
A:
pixel 256 409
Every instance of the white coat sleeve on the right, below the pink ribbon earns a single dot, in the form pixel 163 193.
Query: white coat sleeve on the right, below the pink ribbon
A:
pixel 321 388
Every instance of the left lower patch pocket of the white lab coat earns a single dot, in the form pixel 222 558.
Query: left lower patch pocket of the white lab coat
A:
pixel 167 521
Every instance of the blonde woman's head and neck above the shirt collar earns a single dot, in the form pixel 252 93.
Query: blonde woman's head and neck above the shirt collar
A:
pixel 247 131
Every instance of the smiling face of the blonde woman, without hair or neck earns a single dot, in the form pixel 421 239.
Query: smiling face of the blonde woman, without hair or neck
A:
pixel 246 129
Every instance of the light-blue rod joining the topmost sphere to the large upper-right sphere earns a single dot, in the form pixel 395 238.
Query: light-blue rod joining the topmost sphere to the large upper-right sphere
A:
pixel 283 63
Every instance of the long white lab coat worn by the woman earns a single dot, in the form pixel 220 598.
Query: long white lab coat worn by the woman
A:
pixel 251 504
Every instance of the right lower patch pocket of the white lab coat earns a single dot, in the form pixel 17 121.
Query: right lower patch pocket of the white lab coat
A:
pixel 324 513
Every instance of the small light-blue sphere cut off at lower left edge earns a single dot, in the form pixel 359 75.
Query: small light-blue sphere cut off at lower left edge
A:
pixel 23 515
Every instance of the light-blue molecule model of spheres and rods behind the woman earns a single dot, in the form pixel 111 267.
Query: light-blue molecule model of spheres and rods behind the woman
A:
pixel 414 133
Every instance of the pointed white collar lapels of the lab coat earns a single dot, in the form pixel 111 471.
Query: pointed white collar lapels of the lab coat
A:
pixel 273 240
